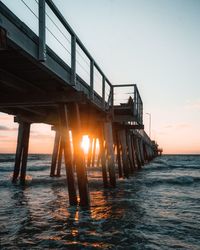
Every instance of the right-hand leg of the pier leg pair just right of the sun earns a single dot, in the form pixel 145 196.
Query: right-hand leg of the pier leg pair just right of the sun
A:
pixel 108 133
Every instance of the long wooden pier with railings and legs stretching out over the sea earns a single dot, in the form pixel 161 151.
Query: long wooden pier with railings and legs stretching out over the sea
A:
pixel 43 80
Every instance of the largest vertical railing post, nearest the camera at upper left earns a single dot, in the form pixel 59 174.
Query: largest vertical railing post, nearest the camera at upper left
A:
pixel 42 33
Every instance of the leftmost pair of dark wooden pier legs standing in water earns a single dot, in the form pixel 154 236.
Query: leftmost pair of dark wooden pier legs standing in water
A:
pixel 21 152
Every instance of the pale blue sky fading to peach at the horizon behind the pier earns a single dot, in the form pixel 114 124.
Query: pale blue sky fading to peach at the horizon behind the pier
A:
pixel 153 43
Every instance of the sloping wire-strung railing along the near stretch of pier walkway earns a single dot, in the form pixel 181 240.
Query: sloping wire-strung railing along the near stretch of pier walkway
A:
pixel 54 33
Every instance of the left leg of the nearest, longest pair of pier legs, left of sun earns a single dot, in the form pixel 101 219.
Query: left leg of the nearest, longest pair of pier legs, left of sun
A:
pixel 65 142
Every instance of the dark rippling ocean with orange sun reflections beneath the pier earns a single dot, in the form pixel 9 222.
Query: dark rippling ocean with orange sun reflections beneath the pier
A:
pixel 156 208
